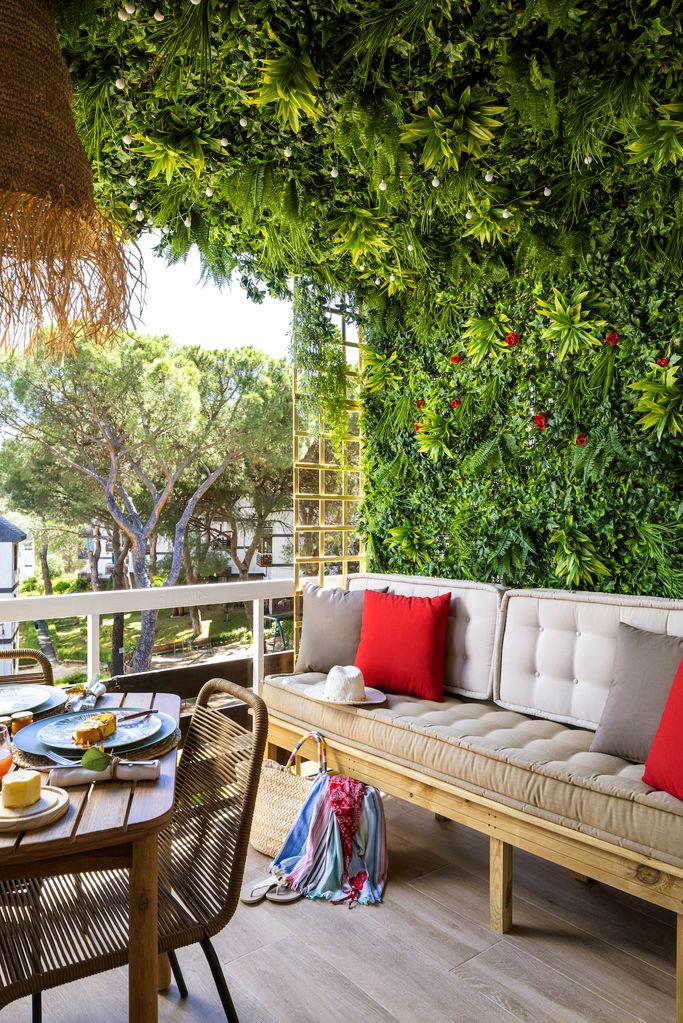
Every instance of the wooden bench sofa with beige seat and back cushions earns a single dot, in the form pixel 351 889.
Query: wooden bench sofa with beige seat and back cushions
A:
pixel 527 677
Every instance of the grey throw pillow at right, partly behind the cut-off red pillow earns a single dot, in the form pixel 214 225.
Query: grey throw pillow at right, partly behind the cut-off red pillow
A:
pixel 645 671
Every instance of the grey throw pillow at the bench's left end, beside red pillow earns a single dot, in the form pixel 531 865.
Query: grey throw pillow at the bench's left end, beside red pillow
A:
pixel 332 628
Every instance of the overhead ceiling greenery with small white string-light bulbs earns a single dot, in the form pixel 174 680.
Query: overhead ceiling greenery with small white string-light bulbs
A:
pixel 413 147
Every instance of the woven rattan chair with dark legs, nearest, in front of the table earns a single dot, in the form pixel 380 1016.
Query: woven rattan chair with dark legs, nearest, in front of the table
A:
pixel 57 930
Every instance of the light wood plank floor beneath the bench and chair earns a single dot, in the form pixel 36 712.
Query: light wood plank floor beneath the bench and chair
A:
pixel 578 954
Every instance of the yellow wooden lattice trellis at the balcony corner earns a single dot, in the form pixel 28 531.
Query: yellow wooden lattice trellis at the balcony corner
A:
pixel 328 493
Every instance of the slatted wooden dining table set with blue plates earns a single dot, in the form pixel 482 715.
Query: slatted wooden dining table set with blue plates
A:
pixel 112 826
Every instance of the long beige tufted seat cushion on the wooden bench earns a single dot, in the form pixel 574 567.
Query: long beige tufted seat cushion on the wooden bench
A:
pixel 537 766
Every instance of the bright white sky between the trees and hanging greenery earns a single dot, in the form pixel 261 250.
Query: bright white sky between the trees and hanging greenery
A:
pixel 194 314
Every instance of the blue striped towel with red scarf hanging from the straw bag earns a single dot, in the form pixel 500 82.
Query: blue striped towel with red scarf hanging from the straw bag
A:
pixel 337 850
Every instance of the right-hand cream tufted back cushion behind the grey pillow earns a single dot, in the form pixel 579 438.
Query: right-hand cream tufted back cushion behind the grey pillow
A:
pixel 556 655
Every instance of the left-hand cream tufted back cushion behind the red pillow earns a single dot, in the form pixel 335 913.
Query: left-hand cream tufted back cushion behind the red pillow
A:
pixel 472 627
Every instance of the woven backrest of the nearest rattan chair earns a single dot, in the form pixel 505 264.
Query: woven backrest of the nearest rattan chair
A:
pixel 204 850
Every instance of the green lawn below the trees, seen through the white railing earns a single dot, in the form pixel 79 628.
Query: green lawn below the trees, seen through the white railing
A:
pixel 69 635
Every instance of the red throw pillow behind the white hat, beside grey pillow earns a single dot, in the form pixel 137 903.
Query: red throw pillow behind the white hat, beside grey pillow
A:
pixel 402 644
